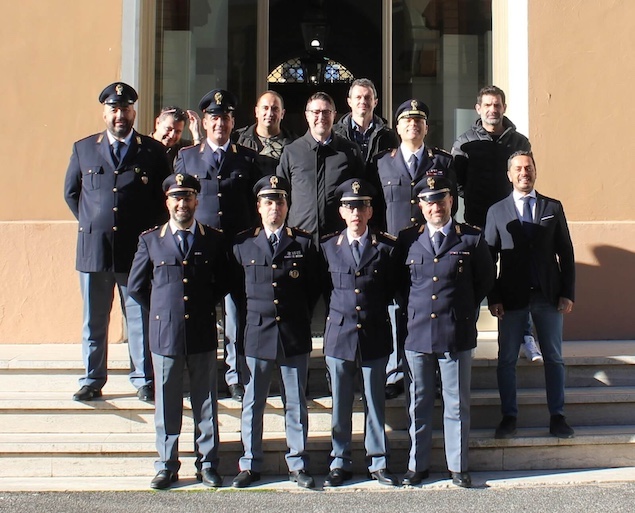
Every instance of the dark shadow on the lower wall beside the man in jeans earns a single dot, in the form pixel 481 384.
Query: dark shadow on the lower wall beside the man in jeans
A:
pixel 605 297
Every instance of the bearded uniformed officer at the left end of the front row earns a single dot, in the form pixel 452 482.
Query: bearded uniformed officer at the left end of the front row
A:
pixel 179 274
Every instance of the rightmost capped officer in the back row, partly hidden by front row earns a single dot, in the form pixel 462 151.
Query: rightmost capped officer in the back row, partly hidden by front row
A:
pixel 399 171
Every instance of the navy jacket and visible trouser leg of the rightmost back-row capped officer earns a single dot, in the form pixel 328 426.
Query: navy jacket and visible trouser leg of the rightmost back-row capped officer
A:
pixel 398 210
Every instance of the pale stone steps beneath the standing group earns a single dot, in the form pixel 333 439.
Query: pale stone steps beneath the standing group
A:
pixel 43 433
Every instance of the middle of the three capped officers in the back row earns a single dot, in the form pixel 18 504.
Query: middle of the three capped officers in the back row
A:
pixel 227 173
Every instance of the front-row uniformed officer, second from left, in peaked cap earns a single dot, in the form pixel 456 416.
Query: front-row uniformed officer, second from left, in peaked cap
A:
pixel 279 269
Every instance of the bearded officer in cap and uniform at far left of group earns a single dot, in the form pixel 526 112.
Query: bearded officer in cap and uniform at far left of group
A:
pixel 113 188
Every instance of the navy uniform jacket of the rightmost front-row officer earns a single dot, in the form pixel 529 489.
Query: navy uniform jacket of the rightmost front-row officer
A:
pixel 440 294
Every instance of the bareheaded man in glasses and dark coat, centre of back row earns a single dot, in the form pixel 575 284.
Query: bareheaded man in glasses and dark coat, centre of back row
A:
pixel 314 165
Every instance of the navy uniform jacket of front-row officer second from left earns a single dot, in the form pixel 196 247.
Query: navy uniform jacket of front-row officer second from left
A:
pixel 281 291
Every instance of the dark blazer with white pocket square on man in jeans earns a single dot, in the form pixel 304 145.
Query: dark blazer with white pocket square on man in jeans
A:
pixel 547 247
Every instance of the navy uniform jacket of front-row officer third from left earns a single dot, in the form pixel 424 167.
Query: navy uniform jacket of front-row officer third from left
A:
pixel 357 324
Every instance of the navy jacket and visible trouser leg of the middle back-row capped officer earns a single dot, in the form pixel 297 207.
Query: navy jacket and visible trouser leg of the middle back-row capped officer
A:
pixel 226 202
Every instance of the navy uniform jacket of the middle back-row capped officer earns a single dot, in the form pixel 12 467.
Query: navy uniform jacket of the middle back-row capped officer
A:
pixel 226 200
